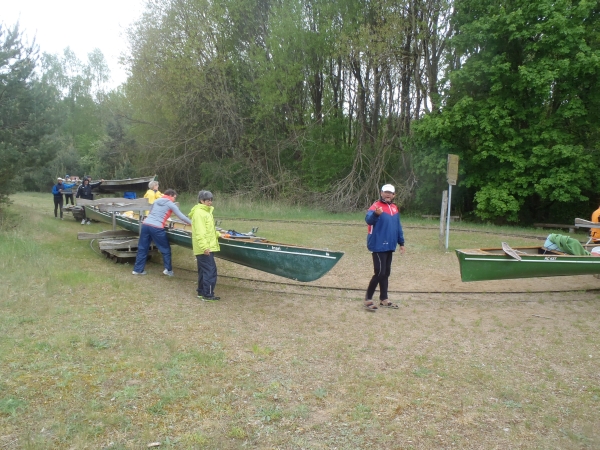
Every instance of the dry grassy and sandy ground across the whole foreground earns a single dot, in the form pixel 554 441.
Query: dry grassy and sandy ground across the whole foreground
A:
pixel 92 357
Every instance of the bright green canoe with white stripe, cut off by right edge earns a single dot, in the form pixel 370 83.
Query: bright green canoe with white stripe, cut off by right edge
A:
pixel 494 264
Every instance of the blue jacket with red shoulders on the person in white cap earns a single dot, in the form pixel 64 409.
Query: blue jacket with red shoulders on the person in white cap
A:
pixel 384 231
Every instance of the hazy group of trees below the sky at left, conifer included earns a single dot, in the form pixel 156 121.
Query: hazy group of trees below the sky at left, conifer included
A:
pixel 52 116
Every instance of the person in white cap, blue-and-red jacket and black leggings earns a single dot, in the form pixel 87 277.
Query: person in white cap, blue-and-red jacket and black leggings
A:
pixel 384 235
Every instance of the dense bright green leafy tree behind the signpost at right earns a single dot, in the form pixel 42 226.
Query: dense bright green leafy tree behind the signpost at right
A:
pixel 523 108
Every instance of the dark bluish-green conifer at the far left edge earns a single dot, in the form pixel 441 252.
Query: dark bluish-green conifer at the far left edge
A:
pixel 27 110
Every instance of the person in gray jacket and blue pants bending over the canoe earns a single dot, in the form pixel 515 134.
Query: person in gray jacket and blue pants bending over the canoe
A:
pixel 153 230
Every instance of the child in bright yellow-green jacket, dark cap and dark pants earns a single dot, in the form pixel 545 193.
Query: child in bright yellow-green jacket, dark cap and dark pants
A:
pixel 205 241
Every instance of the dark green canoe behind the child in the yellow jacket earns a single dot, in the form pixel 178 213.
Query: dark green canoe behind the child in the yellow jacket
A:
pixel 289 261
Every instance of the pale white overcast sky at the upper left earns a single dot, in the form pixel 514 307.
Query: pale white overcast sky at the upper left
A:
pixel 80 24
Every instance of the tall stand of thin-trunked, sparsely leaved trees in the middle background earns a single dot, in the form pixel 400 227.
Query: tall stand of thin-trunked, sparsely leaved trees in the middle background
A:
pixel 302 95
